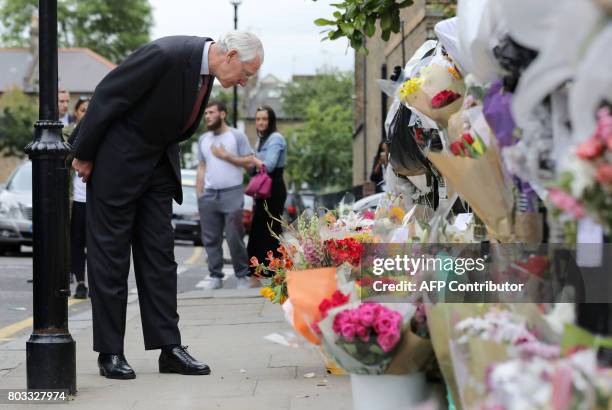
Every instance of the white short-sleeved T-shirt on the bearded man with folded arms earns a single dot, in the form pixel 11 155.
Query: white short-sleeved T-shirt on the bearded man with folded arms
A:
pixel 221 174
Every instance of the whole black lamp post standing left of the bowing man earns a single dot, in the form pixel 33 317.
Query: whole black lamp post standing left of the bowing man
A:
pixel 50 351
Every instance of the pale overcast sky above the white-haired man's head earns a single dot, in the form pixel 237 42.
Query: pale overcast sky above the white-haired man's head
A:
pixel 292 42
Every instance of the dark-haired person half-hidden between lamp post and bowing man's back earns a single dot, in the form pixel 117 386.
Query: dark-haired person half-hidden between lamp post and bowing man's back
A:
pixel 78 223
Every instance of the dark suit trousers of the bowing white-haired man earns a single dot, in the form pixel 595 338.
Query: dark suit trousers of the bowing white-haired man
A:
pixel 144 225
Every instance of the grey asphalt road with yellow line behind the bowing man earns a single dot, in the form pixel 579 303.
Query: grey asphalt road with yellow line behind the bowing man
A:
pixel 16 291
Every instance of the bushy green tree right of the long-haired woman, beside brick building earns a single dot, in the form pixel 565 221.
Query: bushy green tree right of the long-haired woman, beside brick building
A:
pixel 320 151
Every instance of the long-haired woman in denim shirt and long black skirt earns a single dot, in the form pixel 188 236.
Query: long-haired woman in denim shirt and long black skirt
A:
pixel 271 155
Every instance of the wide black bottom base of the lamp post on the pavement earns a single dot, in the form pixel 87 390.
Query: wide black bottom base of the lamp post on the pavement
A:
pixel 51 362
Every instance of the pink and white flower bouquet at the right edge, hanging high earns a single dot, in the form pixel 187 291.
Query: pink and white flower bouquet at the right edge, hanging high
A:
pixel 585 185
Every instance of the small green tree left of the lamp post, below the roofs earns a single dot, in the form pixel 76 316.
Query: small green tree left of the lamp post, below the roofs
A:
pixel 18 112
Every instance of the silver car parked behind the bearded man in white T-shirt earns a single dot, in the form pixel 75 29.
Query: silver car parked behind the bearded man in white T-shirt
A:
pixel 186 217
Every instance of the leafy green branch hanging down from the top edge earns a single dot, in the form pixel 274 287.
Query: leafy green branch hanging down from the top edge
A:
pixel 356 20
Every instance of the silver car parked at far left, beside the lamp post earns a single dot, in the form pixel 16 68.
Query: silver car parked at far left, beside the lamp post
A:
pixel 16 210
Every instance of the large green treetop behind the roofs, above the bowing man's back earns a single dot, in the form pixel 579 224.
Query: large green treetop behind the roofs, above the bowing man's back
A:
pixel 112 28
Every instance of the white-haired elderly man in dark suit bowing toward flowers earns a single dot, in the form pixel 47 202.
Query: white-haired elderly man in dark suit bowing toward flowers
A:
pixel 126 148
